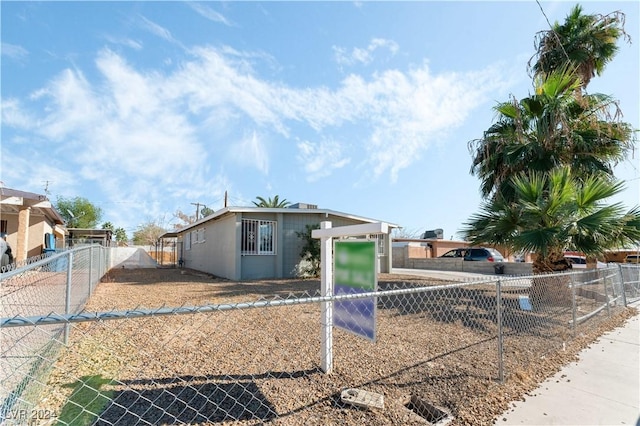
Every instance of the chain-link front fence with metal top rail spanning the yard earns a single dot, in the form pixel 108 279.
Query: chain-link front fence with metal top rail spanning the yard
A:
pixel 438 347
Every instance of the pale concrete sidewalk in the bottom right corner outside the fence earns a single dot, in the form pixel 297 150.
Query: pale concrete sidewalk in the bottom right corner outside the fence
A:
pixel 602 388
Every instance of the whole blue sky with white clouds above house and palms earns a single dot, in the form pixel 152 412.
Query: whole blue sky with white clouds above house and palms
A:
pixel 362 107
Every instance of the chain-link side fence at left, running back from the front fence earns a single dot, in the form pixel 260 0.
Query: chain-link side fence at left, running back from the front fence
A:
pixel 57 282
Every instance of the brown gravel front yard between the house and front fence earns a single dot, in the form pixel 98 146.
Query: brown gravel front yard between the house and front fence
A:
pixel 249 366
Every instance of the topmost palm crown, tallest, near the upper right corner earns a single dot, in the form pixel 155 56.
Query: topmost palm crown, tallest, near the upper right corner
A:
pixel 587 42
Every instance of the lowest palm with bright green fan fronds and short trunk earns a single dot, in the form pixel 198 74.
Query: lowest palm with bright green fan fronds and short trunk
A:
pixel 554 212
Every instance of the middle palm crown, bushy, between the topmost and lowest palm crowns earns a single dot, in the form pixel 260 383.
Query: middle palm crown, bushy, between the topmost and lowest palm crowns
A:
pixel 549 129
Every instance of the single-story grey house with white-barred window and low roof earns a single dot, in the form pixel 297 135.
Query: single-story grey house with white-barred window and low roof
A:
pixel 242 243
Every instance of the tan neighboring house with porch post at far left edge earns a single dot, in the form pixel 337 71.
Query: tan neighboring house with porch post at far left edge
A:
pixel 31 222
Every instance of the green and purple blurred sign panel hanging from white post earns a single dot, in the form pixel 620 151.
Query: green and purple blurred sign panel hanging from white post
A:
pixel 355 272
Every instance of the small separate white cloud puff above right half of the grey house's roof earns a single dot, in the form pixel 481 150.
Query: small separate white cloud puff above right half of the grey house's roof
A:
pixel 319 160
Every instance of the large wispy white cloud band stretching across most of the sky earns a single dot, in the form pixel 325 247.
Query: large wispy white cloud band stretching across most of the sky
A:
pixel 151 131
